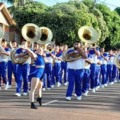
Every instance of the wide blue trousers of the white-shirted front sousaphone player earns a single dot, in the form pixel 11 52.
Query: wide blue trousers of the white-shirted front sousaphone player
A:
pixel 75 77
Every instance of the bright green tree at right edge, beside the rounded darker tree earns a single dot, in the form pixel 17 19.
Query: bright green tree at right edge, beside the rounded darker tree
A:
pixel 112 20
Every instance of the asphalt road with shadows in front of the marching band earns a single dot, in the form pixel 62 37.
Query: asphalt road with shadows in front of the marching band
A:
pixel 102 105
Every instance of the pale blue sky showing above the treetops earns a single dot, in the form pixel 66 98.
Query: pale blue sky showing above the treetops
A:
pixel 110 3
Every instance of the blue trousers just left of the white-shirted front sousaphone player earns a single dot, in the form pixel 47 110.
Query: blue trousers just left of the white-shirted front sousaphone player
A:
pixel 64 69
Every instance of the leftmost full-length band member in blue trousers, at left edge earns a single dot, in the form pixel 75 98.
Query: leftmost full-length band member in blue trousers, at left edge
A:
pixel 3 63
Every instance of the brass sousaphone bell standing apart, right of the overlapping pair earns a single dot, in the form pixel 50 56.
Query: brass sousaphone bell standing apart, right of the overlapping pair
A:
pixel 88 34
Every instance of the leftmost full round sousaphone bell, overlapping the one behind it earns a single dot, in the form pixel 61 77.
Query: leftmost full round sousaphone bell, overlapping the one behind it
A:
pixel 30 32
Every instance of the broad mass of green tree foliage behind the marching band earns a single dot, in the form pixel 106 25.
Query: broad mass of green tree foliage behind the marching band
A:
pixel 65 19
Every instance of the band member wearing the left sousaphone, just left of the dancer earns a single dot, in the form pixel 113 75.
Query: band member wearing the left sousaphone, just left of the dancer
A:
pixel 22 71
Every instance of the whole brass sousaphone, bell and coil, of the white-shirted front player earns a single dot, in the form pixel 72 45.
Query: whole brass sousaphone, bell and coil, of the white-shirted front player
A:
pixel 88 35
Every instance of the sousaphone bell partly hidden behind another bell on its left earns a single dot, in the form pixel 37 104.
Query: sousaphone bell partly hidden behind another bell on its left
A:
pixel 46 35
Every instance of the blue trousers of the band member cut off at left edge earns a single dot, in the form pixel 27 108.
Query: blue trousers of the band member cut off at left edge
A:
pixel 3 71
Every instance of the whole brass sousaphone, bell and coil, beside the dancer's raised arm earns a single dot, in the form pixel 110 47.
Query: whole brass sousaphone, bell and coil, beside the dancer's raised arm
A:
pixel 31 33
